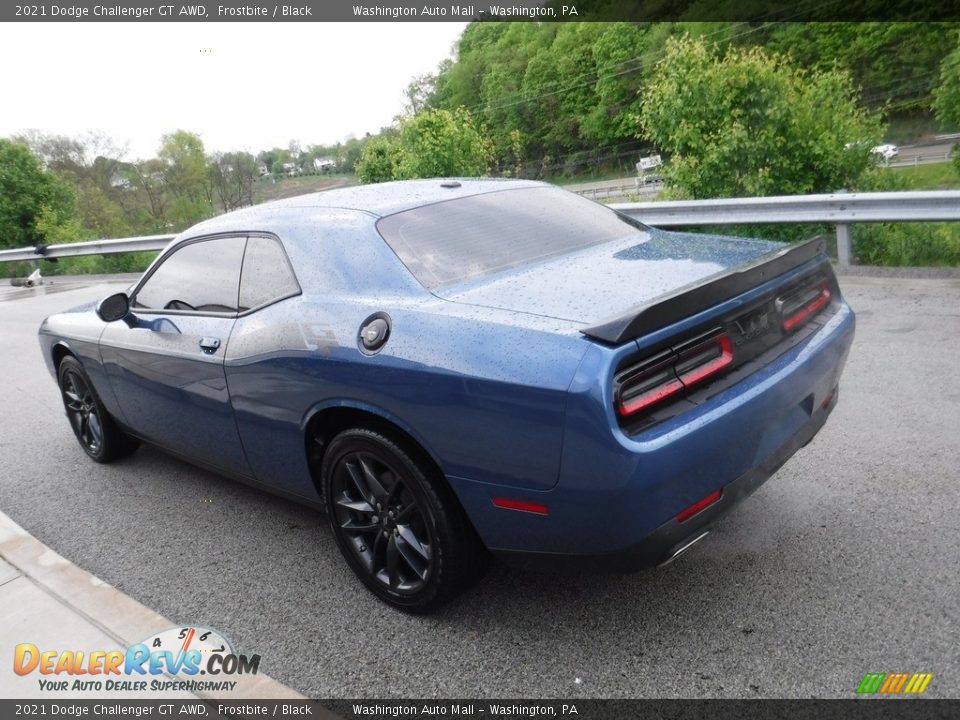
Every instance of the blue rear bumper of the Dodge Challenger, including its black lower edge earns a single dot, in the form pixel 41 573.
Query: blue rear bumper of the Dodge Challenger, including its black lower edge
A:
pixel 617 496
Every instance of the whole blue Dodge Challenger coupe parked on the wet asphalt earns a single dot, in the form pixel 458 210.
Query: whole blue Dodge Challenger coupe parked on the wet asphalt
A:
pixel 456 367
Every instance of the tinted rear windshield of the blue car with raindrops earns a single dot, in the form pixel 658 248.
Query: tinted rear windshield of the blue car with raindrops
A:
pixel 482 234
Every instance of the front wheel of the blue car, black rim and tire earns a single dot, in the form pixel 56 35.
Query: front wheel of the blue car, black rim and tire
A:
pixel 92 425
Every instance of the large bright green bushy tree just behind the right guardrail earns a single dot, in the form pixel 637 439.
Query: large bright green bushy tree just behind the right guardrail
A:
pixel 749 123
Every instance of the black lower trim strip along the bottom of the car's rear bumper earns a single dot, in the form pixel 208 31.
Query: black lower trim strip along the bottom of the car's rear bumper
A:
pixel 672 538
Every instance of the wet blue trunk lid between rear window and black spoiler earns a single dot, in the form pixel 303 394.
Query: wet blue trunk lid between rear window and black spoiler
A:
pixel 595 283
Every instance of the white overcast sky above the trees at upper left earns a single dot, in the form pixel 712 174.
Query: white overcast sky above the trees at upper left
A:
pixel 240 86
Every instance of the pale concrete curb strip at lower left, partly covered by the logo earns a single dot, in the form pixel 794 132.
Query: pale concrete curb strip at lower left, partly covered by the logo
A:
pixel 105 608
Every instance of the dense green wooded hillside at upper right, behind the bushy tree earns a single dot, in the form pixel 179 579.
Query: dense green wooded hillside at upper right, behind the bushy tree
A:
pixel 573 90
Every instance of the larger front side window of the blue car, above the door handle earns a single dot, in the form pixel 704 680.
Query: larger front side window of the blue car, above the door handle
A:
pixel 202 276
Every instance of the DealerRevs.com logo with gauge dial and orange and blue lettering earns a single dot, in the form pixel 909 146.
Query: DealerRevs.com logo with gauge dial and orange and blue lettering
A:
pixel 189 659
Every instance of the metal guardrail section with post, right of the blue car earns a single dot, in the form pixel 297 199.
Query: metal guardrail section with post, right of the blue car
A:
pixel 840 209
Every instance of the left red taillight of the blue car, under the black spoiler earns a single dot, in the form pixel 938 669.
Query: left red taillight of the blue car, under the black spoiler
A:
pixel 667 374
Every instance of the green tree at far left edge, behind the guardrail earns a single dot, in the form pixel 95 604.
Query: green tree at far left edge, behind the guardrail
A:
pixel 35 204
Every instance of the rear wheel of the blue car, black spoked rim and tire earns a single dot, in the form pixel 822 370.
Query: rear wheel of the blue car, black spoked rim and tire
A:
pixel 397 523
